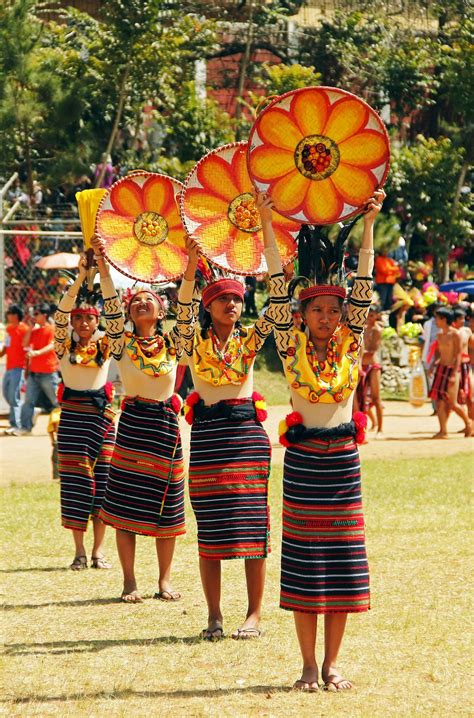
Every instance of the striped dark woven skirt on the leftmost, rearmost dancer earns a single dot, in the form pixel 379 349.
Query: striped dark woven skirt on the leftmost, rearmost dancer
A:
pixel 86 437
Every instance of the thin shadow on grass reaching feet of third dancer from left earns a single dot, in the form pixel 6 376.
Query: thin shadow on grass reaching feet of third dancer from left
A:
pixel 59 647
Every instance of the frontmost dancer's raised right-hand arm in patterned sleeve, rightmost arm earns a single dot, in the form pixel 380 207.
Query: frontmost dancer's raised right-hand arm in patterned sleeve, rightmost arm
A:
pixel 362 289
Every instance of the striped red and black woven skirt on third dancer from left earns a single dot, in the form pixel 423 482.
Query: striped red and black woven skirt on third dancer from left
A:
pixel 228 486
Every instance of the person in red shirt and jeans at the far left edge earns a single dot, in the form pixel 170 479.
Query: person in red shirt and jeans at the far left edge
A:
pixel 16 330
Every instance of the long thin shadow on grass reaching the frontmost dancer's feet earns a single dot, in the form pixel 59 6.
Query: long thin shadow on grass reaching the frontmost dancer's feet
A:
pixel 129 693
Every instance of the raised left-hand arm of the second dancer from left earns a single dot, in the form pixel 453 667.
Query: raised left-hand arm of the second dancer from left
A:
pixel 114 318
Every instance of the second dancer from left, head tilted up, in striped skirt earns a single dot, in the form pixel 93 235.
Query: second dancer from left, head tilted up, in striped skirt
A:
pixel 145 490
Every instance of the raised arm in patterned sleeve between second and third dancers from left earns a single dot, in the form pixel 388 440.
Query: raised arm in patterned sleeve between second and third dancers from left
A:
pixel 185 326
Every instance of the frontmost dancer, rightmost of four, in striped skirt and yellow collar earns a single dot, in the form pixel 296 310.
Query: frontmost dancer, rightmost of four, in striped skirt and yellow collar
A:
pixel 324 566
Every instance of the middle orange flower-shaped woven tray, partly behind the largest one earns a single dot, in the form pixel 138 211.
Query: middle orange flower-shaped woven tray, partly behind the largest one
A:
pixel 218 208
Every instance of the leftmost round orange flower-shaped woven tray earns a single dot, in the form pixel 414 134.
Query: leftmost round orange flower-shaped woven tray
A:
pixel 140 224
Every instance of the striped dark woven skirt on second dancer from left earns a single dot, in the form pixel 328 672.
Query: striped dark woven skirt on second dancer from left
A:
pixel 145 490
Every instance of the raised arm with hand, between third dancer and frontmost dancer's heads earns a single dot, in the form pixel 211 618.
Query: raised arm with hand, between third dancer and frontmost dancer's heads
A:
pixel 277 316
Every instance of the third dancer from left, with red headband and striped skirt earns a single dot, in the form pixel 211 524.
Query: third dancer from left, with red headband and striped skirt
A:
pixel 230 450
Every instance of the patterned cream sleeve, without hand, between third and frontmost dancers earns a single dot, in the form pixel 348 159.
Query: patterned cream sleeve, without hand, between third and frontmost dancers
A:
pixel 278 313
